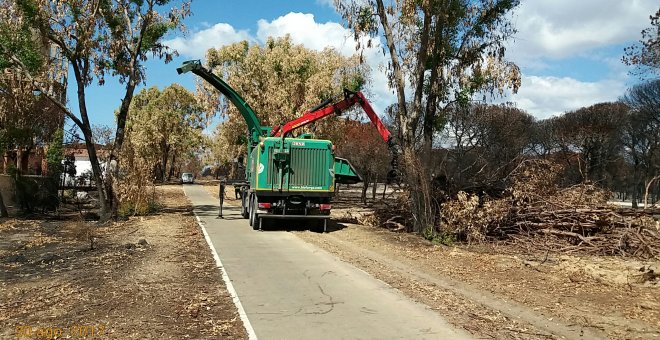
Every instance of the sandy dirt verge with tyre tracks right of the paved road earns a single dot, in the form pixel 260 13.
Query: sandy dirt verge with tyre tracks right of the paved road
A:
pixel 499 291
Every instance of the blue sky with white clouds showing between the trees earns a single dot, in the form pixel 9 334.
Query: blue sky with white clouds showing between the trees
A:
pixel 569 51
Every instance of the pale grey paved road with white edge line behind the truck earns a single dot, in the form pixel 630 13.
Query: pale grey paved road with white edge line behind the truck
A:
pixel 292 290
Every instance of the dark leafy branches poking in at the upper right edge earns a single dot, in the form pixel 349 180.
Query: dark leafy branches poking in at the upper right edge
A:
pixel 646 54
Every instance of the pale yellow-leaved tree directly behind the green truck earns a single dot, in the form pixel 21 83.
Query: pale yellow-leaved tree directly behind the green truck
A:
pixel 280 80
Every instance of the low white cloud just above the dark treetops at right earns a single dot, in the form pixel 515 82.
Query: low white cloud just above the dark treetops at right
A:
pixel 544 97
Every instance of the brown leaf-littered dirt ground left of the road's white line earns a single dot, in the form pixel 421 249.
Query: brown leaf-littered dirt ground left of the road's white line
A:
pixel 149 277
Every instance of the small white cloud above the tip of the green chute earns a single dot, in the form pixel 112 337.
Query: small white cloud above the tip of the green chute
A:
pixel 199 42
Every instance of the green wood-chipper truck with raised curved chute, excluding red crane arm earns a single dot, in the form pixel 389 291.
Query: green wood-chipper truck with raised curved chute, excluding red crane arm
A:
pixel 284 177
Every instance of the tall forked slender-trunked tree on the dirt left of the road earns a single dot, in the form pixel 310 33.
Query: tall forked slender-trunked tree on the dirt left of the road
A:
pixel 97 37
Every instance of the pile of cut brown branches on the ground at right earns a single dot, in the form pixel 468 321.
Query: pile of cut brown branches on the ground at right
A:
pixel 535 209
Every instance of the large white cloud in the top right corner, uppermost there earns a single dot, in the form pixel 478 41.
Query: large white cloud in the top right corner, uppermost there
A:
pixel 564 28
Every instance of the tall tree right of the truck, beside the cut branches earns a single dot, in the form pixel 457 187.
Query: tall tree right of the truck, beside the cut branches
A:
pixel 446 51
